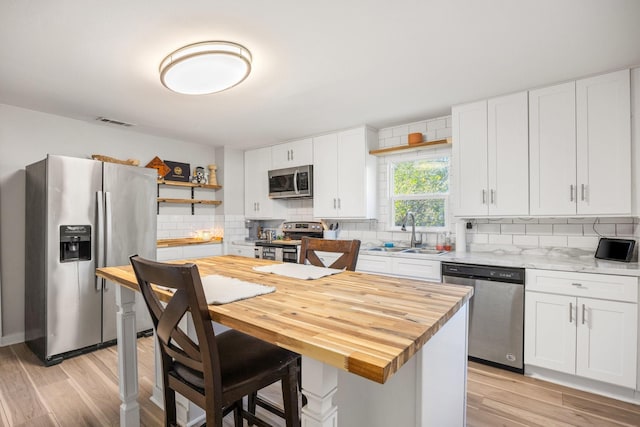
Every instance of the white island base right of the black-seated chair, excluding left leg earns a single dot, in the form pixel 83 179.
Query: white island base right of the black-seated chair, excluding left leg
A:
pixel 429 390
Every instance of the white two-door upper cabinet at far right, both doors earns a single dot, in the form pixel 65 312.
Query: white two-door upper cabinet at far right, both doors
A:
pixel 580 147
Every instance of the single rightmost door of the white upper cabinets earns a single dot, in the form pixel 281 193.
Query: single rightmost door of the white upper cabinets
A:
pixel 603 119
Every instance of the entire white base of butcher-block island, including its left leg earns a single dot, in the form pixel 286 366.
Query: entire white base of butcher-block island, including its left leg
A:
pixel 429 390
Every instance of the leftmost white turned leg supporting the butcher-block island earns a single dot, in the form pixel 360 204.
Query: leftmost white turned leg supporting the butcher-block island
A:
pixel 127 357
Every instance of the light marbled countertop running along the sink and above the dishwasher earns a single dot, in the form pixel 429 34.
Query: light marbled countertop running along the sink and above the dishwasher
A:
pixel 562 259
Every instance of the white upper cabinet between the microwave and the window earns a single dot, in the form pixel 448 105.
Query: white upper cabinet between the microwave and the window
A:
pixel 344 174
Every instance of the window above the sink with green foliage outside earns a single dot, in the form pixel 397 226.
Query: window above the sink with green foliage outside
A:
pixel 420 186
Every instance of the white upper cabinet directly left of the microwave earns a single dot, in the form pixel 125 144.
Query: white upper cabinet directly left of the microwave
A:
pixel 257 204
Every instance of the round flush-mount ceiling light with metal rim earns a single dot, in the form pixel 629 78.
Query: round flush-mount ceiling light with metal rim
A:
pixel 205 67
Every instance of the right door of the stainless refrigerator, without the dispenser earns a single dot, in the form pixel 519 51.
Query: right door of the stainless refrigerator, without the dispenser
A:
pixel 130 219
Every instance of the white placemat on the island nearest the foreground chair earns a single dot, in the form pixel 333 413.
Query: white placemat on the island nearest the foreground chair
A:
pixel 222 290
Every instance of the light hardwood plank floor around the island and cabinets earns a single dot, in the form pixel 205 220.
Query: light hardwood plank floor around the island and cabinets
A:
pixel 83 391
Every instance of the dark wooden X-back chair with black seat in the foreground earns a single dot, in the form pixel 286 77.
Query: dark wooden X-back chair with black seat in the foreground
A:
pixel 217 371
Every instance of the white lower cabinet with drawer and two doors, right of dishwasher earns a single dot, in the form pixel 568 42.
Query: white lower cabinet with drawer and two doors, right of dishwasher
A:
pixel 582 324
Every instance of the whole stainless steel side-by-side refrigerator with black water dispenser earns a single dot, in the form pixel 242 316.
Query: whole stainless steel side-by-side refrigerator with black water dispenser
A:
pixel 82 214
